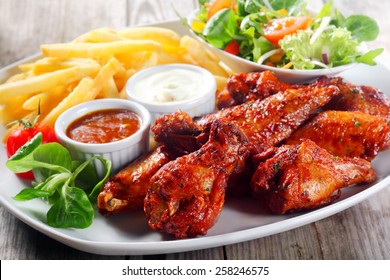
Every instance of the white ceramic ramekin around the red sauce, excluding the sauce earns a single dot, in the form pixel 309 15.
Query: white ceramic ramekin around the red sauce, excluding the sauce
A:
pixel 121 152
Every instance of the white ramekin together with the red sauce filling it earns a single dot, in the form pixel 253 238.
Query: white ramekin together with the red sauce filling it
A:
pixel 98 131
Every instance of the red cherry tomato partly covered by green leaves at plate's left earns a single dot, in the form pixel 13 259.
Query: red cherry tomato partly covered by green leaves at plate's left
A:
pixel 22 134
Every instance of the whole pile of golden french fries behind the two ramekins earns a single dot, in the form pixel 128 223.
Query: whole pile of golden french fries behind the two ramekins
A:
pixel 96 65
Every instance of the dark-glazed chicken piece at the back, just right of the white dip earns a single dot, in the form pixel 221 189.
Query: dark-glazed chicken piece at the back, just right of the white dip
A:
pixel 243 87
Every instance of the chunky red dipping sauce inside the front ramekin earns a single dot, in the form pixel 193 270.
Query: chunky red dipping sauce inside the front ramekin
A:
pixel 104 126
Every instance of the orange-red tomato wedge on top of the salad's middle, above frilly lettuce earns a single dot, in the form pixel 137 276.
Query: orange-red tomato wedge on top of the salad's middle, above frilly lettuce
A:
pixel 276 29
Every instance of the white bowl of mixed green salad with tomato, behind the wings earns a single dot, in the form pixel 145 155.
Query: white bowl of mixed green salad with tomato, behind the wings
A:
pixel 285 37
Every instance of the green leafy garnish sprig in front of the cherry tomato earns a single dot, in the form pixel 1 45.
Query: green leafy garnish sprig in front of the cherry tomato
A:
pixel 70 187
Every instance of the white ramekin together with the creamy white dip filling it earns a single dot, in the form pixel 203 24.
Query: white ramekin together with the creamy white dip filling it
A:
pixel 167 88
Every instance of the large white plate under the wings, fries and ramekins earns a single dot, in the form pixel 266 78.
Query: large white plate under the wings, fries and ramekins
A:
pixel 128 234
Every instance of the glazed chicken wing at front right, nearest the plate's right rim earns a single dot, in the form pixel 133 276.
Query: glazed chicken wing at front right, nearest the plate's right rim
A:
pixel 305 176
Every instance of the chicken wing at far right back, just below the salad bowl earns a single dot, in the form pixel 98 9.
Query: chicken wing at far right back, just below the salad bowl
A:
pixel 365 99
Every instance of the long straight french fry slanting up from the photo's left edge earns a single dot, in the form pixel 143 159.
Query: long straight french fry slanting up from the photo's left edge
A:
pixel 45 82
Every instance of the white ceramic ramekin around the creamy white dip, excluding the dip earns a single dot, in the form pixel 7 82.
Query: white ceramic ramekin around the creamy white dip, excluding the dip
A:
pixel 201 104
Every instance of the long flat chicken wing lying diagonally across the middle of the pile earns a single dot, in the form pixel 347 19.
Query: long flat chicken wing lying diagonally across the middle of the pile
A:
pixel 269 121
